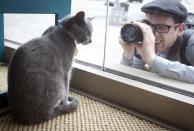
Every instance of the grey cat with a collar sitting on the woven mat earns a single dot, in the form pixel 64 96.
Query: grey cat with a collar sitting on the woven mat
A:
pixel 39 72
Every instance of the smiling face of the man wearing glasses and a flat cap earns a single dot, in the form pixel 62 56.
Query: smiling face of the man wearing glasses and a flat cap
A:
pixel 164 40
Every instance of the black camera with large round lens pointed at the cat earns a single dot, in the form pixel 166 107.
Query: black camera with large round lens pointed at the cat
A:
pixel 131 33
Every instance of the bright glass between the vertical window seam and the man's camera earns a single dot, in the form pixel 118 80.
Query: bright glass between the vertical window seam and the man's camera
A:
pixel 120 13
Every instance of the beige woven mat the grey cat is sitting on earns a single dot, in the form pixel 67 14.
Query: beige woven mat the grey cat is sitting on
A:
pixel 91 115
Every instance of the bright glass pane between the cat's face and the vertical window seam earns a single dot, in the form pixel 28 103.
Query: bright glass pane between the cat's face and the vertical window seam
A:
pixel 94 52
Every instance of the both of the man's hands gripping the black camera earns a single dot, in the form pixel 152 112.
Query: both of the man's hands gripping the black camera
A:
pixel 146 49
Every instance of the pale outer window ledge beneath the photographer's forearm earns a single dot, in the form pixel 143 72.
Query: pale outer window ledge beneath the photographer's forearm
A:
pixel 155 79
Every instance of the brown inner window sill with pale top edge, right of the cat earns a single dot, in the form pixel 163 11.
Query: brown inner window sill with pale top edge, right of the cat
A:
pixel 168 108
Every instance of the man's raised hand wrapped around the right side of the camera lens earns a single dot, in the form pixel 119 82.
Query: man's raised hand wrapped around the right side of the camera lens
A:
pixel 147 49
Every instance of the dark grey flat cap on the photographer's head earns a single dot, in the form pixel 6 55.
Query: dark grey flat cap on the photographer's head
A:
pixel 170 7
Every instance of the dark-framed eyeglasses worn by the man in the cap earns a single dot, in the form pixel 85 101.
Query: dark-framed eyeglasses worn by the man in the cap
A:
pixel 161 28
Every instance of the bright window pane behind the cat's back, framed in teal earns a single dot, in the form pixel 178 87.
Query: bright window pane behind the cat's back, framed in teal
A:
pixel 20 28
